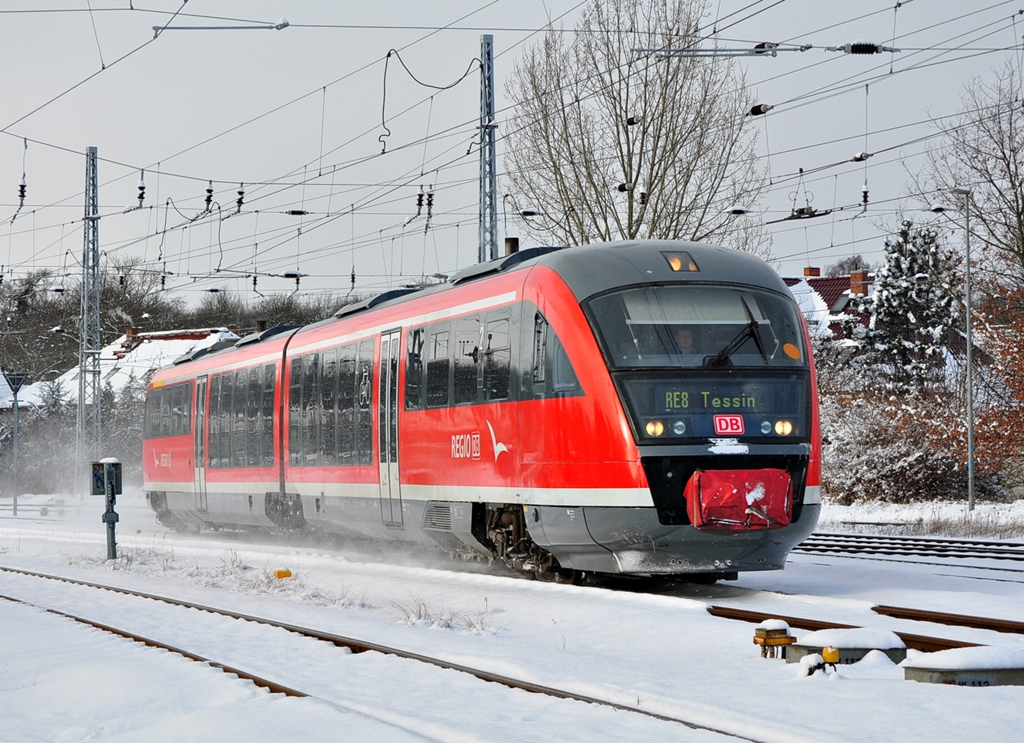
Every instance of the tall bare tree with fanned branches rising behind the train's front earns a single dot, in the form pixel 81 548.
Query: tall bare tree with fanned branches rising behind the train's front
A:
pixel 607 144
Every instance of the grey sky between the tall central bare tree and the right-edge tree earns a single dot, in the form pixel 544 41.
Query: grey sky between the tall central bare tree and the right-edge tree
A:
pixel 825 115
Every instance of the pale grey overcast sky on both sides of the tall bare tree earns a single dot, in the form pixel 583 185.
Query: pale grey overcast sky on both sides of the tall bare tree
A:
pixel 296 116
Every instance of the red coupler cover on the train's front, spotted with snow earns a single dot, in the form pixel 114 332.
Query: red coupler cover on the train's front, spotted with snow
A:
pixel 737 500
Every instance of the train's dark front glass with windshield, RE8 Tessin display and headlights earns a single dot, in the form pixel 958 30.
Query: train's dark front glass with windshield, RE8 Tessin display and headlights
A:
pixel 703 362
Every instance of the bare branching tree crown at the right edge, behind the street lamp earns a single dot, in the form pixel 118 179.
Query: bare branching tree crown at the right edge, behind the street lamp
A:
pixel 984 148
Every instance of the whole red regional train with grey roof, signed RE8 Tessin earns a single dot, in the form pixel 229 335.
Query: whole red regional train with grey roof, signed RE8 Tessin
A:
pixel 637 408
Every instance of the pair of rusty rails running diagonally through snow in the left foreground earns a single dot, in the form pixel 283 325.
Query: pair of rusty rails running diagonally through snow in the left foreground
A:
pixel 359 646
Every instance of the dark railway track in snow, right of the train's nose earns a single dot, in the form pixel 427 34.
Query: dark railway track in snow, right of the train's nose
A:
pixel 919 547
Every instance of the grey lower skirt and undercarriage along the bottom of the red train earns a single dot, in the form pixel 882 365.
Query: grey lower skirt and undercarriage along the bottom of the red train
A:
pixel 544 543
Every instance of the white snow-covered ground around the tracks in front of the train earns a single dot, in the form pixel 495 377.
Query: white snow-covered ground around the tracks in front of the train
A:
pixel 61 681
